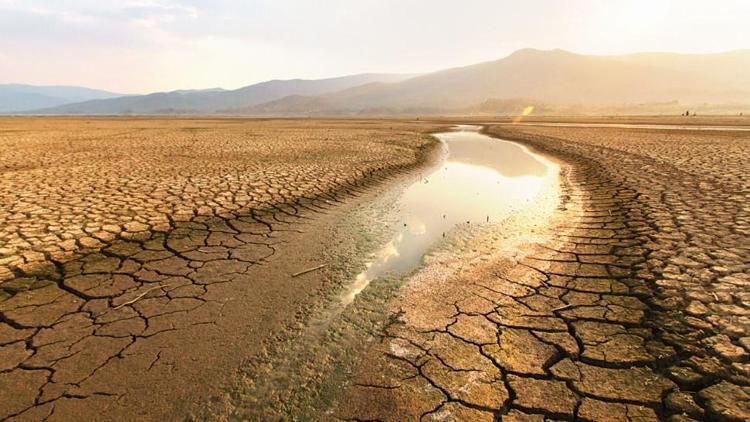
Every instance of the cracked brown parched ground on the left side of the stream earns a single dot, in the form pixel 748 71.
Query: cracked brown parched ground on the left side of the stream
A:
pixel 131 250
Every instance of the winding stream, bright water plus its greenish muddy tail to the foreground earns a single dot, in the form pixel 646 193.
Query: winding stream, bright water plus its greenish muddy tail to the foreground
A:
pixel 478 180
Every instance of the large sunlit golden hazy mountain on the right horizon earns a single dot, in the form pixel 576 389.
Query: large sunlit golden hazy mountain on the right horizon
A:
pixel 552 77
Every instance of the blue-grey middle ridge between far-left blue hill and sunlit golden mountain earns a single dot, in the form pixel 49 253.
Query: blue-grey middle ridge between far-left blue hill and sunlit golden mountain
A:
pixel 216 100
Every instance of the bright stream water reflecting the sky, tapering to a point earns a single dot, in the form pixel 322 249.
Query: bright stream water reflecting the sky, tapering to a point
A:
pixel 482 180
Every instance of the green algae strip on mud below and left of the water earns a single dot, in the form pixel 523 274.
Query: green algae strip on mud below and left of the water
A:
pixel 299 375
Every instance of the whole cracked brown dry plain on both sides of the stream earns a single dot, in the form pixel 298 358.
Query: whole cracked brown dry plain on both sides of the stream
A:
pixel 144 259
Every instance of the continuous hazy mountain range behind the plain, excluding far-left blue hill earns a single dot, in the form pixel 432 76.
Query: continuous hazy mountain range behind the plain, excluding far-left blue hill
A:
pixel 554 79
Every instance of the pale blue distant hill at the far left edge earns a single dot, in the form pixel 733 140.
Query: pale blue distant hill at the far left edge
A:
pixel 19 97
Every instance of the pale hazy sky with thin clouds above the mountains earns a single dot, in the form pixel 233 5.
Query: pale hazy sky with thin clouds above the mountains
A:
pixel 149 45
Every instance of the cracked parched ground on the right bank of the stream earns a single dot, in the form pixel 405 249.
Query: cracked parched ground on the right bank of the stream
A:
pixel 634 307
